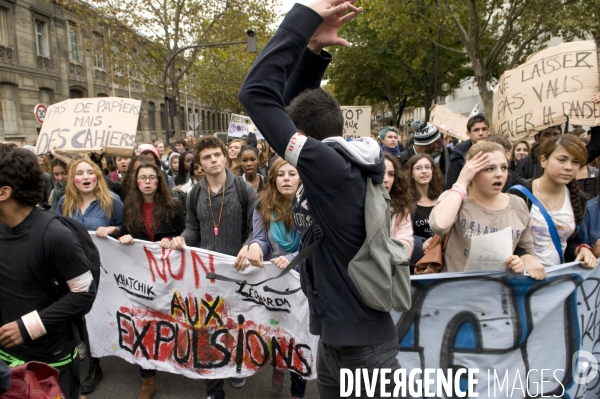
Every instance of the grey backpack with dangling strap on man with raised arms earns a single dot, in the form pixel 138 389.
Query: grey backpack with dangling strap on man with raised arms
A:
pixel 379 269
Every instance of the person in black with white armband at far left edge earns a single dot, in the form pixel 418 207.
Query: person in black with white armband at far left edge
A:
pixel 35 325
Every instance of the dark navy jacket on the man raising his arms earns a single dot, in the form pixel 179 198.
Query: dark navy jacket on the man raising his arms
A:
pixel 332 182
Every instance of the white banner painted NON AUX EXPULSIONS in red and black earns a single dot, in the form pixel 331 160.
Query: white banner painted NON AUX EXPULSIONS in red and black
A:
pixel 156 308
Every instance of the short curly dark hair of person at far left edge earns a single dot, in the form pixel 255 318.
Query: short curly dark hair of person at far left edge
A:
pixel 19 170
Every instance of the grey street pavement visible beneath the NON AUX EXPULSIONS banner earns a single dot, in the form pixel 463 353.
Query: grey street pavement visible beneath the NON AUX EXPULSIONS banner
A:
pixel 122 380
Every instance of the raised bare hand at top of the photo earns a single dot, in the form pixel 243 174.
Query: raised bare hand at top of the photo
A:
pixel 334 16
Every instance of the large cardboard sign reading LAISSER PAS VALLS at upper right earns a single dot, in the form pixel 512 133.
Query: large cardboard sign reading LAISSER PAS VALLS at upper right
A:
pixel 552 85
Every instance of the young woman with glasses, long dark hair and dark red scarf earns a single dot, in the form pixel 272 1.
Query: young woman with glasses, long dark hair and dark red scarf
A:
pixel 151 214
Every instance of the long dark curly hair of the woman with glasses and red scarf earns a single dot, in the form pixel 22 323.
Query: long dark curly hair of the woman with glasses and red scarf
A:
pixel 164 206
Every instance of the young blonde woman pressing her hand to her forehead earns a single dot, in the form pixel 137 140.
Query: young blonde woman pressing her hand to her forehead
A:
pixel 475 205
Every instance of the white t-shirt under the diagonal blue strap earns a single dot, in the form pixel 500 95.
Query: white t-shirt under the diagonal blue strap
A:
pixel 564 220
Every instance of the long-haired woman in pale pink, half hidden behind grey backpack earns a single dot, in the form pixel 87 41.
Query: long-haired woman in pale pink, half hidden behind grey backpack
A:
pixel 401 202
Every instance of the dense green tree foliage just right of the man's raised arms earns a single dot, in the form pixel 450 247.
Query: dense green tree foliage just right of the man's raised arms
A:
pixel 384 64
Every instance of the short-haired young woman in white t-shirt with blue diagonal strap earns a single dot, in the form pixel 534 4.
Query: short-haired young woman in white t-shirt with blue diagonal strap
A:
pixel 557 191
